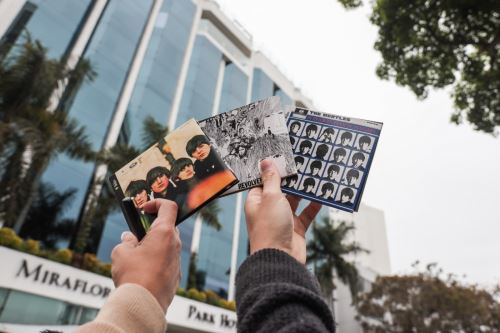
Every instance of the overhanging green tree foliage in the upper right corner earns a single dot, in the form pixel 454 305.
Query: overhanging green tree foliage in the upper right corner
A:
pixel 435 44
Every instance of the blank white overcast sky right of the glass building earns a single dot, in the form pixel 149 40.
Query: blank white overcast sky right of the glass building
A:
pixel 438 184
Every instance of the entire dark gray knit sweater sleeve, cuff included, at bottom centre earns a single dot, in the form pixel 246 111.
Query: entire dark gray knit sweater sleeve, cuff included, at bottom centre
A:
pixel 275 293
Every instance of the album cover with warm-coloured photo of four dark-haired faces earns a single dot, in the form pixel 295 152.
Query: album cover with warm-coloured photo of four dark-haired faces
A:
pixel 183 167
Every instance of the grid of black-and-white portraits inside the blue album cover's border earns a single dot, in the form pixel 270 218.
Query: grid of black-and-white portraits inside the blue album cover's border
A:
pixel 331 162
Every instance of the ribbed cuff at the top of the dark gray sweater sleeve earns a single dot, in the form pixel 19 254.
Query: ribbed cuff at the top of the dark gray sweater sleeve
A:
pixel 271 266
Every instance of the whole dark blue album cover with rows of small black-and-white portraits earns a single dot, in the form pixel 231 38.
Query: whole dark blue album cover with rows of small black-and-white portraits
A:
pixel 333 155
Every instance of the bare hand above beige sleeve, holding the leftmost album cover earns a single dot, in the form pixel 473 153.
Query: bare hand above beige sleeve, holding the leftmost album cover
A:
pixel 153 263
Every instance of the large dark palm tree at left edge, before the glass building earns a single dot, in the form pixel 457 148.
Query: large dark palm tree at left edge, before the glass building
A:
pixel 31 135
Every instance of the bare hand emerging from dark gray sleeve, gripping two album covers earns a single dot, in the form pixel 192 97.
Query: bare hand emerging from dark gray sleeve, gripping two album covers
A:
pixel 271 218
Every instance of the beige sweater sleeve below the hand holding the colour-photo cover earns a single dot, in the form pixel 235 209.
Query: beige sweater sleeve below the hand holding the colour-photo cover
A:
pixel 130 308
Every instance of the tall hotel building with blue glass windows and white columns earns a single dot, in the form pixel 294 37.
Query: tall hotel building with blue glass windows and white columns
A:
pixel 171 60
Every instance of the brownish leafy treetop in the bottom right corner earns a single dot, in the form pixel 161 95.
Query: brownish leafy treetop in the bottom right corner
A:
pixel 426 302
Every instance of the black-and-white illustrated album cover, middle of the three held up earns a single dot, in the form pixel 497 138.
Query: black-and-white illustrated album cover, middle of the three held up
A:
pixel 249 134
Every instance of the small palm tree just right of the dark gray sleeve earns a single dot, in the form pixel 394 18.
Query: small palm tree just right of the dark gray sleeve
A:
pixel 327 251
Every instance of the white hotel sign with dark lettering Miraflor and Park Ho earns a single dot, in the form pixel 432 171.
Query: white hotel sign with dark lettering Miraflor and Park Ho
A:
pixel 38 276
